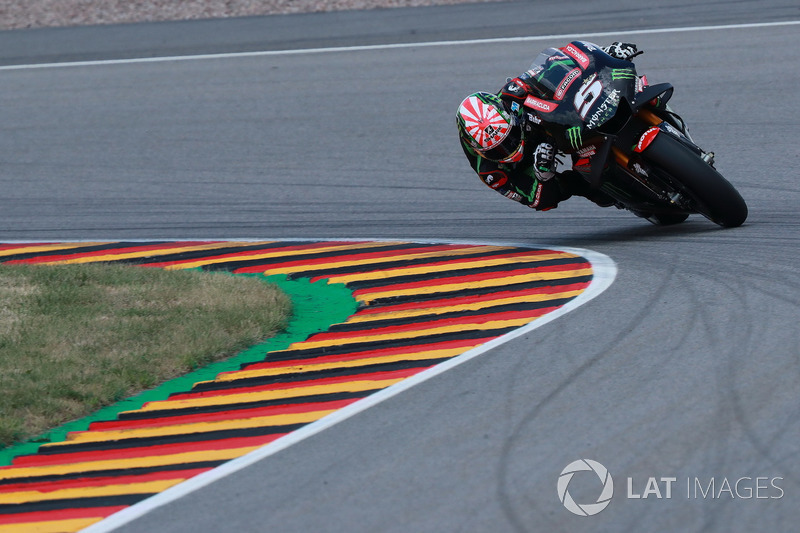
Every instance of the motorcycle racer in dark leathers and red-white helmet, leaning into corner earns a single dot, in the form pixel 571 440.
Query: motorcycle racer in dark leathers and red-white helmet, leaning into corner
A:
pixel 513 155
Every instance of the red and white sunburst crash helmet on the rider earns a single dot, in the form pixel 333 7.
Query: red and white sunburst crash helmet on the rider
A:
pixel 490 128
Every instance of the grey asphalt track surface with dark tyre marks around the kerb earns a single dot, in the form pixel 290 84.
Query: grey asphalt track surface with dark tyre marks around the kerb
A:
pixel 686 367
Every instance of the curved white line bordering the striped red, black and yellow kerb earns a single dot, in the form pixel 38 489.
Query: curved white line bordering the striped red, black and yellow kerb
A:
pixel 605 271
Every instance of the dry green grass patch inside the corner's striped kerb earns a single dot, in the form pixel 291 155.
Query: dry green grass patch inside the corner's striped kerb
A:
pixel 74 338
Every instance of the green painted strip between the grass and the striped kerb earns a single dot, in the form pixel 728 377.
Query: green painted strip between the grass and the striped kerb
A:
pixel 315 307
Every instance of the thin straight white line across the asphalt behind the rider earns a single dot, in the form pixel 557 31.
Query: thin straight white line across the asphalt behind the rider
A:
pixel 561 37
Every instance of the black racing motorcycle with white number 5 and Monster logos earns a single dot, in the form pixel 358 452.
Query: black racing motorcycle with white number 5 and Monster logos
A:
pixel 641 152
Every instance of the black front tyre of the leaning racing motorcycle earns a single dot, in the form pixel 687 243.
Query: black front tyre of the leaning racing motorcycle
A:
pixel 713 196
